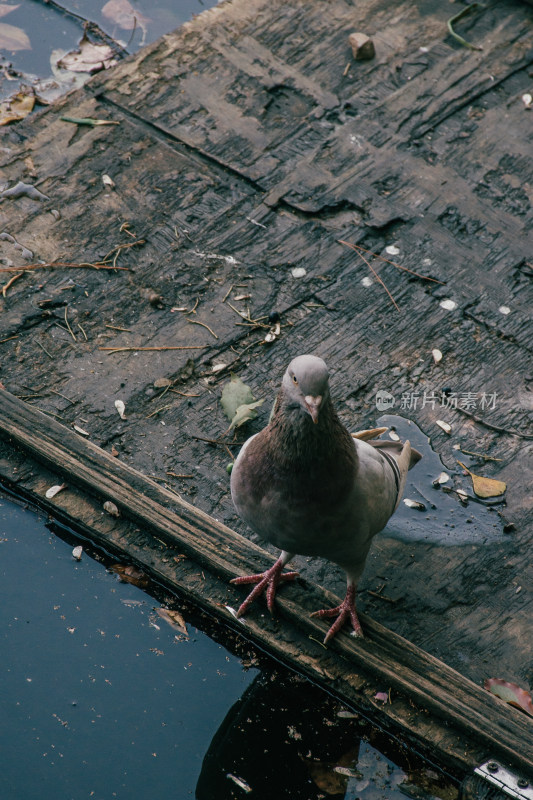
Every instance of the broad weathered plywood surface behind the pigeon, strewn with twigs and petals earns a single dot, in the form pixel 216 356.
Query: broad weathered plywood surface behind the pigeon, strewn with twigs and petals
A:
pixel 248 115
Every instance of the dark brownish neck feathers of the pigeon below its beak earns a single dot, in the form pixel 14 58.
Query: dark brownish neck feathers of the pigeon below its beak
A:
pixel 299 443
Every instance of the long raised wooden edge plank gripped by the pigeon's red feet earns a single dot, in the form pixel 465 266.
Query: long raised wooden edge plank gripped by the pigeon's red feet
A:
pixel 430 684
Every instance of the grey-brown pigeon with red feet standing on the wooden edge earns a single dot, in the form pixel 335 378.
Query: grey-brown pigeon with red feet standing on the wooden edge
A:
pixel 309 487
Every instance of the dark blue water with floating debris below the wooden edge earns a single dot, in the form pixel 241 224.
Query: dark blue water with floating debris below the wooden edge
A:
pixel 102 698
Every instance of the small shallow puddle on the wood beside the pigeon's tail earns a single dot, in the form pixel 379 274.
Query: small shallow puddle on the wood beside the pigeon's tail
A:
pixel 444 520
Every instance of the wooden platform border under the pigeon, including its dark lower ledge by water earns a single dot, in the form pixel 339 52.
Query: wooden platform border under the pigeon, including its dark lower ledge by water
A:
pixel 471 722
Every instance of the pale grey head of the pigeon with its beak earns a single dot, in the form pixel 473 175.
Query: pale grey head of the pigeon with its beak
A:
pixel 305 384
